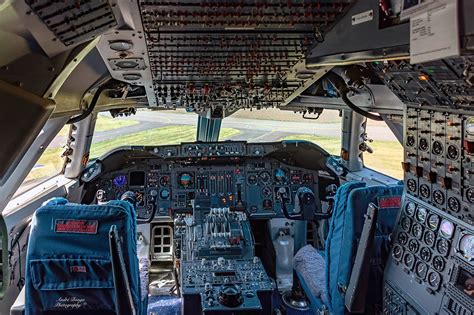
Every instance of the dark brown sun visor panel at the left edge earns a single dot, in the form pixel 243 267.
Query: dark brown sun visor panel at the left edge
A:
pixel 23 114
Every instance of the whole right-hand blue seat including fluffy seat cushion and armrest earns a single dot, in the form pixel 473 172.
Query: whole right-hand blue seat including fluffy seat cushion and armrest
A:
pixel 327 277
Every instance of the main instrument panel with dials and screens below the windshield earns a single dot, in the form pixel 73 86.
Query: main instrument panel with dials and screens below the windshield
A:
pixel 233 175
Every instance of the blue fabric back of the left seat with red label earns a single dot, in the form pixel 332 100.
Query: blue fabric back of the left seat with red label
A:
pixel 69 263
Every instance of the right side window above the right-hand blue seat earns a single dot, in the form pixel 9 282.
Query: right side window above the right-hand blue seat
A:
pixel 388 152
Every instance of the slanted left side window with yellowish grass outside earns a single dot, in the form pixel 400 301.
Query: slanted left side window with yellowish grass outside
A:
pixel 49 164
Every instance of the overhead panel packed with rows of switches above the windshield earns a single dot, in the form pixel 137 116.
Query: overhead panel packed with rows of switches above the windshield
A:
pixel 233 53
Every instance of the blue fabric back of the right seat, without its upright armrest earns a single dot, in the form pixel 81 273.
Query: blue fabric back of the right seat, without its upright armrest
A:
pixel 351 202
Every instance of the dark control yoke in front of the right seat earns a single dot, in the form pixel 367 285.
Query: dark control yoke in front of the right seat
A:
pixel 305 205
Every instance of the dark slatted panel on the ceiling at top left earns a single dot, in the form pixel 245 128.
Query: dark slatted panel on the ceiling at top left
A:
pixel 74 21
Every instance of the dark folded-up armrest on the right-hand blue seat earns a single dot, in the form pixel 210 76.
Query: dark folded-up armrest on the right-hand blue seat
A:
pixel 358 284
